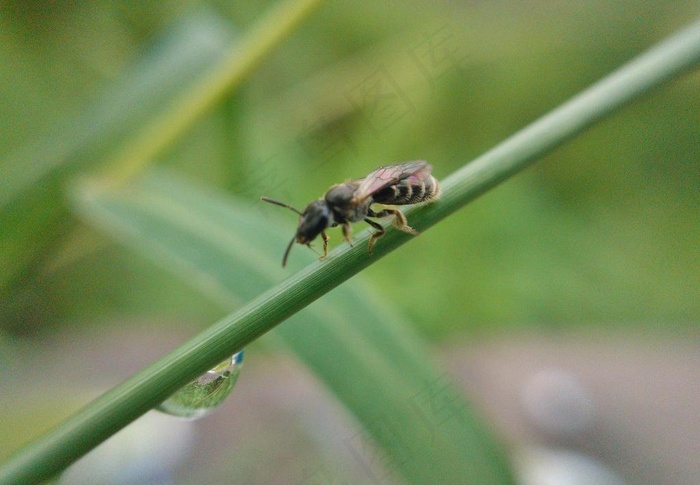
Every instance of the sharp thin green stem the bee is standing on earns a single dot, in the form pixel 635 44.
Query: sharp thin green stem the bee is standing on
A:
pixel 126 402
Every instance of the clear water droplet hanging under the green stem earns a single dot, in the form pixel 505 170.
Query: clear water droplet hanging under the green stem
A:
pixel 201 396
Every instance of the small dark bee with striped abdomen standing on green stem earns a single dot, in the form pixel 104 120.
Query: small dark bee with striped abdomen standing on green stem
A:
pixel 397 184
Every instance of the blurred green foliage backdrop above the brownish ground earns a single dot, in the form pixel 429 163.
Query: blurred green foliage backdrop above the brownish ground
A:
pixel 603 233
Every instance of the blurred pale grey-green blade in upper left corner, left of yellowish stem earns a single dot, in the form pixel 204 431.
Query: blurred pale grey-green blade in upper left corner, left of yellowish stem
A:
pixel 169 67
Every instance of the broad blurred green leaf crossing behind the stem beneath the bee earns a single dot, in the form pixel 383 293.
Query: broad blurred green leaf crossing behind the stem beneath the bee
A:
pixel 356 344
